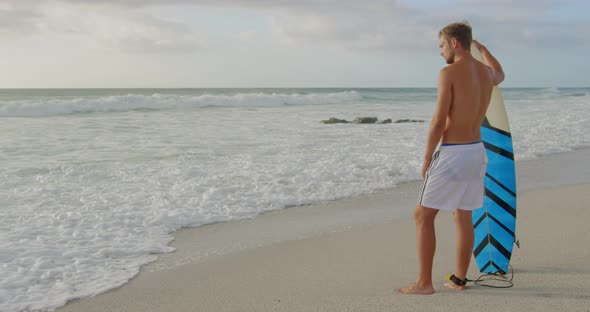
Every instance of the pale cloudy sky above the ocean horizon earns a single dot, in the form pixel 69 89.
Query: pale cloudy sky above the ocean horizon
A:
pixel 281 43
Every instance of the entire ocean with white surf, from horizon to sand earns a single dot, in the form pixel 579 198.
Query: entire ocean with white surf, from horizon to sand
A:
pixel 94 182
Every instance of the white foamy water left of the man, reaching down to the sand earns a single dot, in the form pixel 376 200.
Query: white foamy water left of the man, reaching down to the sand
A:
pixel 89 199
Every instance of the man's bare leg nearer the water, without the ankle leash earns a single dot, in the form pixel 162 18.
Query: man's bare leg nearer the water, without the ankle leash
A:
pixel 426 243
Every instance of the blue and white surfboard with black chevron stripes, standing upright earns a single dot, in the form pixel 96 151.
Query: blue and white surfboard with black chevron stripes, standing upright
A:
pixel 495 222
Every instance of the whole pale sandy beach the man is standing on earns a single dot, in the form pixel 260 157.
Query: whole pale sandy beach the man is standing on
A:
pixel 359 267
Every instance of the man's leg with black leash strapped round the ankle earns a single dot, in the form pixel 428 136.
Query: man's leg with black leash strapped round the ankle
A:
pixel 465 238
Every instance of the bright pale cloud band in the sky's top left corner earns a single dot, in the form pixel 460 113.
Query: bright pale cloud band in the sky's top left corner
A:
pixel 102 25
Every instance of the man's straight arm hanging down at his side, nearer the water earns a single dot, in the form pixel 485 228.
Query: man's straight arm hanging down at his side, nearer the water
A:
pixel 439 119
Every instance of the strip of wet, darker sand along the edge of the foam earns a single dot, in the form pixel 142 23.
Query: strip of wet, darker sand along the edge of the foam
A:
pixel 202 243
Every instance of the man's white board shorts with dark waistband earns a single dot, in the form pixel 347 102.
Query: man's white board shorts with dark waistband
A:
pixel 454 179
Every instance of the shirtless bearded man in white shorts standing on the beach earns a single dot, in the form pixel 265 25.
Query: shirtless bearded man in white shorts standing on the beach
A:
pixel 453 174
